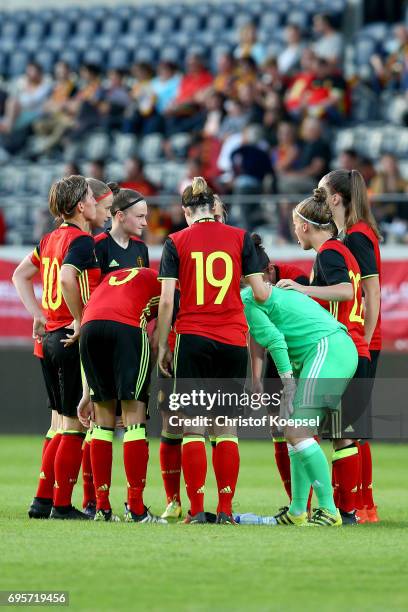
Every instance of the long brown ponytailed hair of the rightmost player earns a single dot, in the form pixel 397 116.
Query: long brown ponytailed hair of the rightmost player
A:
pixel 351 187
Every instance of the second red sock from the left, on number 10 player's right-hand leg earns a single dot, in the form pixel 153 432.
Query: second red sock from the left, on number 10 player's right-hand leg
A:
pixel 67 463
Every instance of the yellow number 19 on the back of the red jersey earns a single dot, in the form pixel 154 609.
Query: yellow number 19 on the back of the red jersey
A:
pixel 205 270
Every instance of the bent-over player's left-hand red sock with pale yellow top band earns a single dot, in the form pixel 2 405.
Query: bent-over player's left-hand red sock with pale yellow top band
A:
pixel 101 458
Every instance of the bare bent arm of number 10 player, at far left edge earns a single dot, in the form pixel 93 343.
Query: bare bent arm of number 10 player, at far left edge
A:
pixel 23 281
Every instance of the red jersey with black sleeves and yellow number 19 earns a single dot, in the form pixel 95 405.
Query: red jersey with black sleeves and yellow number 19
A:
pixel 208 259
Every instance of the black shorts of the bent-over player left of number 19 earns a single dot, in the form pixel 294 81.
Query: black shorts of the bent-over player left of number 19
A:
pixel 116 361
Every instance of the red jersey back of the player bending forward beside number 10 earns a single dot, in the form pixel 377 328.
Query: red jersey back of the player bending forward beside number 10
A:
pixel 129 296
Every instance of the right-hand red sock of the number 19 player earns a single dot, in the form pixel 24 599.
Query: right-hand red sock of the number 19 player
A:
pixel 226 468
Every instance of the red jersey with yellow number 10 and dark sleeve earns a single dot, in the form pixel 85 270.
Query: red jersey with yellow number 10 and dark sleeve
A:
pixel 66 245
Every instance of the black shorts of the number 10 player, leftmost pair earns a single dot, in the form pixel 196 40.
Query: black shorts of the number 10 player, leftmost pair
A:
pixel 62 372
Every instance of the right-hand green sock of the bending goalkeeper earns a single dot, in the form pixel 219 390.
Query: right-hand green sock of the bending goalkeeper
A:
pixel 315 464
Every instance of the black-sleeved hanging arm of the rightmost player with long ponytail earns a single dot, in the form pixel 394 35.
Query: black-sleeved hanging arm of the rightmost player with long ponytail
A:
pixel 363 250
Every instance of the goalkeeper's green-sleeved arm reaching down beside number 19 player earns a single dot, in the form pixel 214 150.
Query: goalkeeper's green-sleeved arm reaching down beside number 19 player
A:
pixel 267 335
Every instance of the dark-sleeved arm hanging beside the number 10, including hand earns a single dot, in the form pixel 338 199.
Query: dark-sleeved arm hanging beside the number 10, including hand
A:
pixel 80 256
